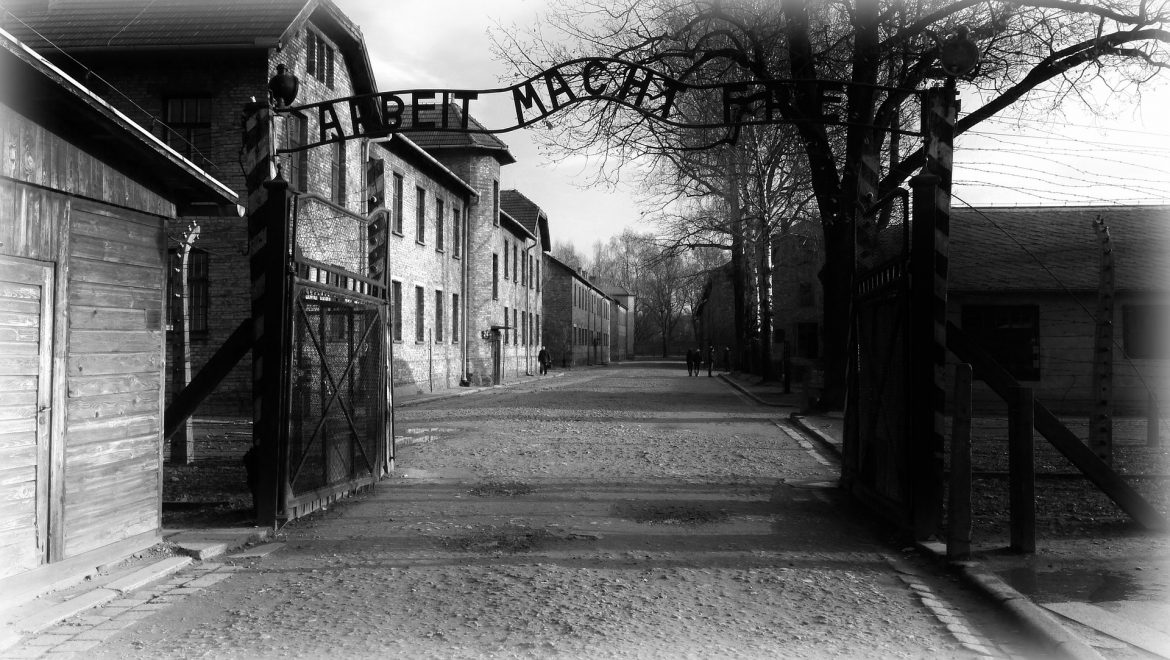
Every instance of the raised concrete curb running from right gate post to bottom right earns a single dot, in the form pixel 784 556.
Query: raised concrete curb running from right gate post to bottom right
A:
pixel 1040 622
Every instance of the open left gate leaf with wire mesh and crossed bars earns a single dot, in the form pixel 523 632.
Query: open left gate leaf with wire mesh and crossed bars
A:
pixel 339 402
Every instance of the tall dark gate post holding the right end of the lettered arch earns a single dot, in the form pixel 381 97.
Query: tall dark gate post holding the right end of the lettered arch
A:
pixel 931 233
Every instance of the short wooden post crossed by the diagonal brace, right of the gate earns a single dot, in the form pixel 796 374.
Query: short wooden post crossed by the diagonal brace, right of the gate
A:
pixel 1022 470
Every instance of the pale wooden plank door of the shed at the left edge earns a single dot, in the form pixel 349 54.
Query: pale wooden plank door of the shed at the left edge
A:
pixel 26 360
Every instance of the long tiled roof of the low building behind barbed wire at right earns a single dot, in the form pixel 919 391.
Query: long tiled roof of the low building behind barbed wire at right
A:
pixel 1057 249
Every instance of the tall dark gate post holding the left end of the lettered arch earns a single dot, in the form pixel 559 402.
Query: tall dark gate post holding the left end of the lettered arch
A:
pixel 269 221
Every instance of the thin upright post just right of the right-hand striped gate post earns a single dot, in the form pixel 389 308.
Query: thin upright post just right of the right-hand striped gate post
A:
pixel 959 505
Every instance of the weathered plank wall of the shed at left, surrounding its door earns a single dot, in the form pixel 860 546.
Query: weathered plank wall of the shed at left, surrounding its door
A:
pixel 102 236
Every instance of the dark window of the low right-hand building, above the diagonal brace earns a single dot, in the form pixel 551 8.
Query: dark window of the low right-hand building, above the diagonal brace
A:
pixel 1008 333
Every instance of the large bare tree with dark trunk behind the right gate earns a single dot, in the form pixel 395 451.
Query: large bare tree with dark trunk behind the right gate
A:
pixel 884 51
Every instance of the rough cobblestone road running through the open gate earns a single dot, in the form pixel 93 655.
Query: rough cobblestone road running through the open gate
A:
pixel 622 513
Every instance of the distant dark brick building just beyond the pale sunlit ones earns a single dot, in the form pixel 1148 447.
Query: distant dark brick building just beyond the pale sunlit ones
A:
pixel 577 317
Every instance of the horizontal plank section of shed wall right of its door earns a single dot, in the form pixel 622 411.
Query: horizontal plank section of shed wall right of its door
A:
pixel 115 376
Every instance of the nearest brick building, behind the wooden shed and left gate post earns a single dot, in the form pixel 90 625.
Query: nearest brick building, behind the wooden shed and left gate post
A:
pixel 185 71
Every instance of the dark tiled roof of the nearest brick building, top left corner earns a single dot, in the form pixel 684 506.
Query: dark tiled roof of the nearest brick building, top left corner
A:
pixel 74 25
